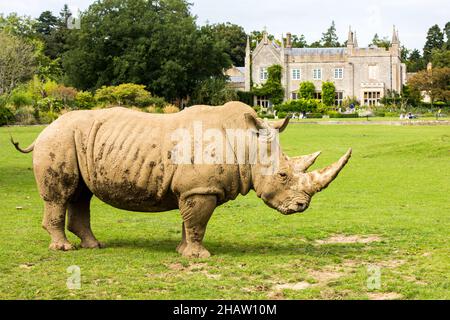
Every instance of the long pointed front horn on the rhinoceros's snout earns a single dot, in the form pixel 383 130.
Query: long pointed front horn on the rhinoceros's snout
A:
pixel 320 179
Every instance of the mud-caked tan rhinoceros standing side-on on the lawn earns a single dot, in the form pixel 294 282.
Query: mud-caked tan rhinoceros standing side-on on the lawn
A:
pixel 125 158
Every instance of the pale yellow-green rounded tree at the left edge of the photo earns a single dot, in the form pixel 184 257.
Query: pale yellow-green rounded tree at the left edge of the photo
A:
pixel 17 62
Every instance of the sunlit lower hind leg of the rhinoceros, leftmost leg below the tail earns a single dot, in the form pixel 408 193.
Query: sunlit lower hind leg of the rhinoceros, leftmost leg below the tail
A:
pixel 53 222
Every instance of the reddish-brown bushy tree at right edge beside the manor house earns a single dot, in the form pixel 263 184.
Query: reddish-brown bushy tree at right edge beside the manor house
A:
pixel 435 83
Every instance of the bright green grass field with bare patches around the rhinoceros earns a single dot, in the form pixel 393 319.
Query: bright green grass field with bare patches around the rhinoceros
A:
pixel 389 209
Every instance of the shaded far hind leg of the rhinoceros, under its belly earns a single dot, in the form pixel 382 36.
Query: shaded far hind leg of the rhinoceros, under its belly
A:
pixel 80 220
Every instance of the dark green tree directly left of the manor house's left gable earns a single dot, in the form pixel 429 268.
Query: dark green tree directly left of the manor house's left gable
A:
pixel 232 38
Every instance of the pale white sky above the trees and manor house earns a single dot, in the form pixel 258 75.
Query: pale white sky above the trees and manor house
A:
pixel 308 17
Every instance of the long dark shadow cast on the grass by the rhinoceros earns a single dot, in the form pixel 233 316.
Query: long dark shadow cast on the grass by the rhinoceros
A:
pixel 244 248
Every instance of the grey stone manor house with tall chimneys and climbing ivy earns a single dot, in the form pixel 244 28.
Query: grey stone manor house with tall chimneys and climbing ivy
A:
pixel 364 73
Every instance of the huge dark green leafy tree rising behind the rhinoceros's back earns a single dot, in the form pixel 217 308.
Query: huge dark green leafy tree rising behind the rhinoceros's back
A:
pixel 117 44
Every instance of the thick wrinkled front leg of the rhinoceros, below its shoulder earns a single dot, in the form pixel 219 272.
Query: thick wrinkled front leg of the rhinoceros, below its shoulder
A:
pixel 195 211
